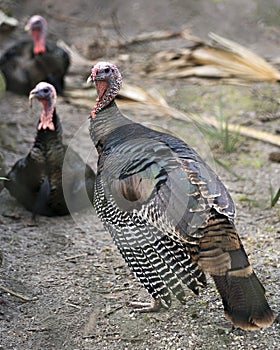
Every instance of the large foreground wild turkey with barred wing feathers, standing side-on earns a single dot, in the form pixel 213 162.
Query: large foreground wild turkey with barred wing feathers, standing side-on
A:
pixel 167 211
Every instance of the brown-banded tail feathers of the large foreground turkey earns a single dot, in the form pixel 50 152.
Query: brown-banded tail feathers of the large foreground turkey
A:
pixel 223 256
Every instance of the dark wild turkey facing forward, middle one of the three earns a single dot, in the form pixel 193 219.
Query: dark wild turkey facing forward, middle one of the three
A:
pixel 36 180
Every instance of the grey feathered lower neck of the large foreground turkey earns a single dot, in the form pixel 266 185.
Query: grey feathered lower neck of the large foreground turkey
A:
pixel 105 122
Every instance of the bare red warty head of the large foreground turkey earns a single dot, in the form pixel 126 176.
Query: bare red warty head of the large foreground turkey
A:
pixel 108 82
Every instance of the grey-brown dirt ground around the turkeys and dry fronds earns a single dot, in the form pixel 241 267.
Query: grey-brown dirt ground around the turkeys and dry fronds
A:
pixel 75 282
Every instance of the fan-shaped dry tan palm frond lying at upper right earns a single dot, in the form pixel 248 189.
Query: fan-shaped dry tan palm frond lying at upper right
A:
pixel 221 59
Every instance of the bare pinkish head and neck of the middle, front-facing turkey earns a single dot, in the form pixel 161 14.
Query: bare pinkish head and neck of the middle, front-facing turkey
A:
pixel 46 94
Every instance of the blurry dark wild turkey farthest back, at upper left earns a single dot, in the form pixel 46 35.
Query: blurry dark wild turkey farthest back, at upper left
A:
pixel 28 62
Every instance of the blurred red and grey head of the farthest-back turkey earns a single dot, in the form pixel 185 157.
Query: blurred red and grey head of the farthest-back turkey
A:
pixel 37 27
